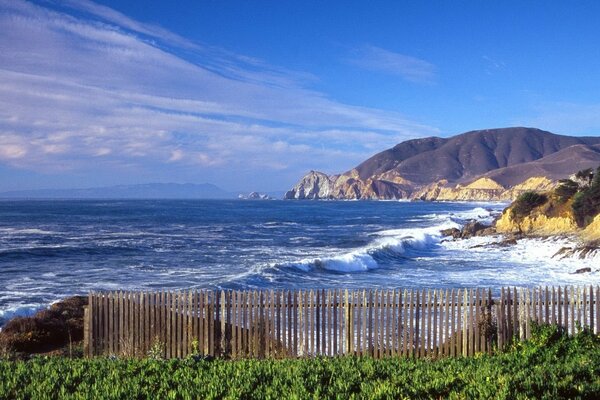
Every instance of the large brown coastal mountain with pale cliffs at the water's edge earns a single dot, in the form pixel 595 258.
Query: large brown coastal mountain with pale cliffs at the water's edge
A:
pixel 491 164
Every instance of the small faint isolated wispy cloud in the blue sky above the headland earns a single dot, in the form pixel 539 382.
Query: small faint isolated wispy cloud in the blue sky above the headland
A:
pixel 381 60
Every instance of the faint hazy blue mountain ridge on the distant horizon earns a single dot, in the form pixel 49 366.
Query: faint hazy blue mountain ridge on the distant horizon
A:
pixel 142 191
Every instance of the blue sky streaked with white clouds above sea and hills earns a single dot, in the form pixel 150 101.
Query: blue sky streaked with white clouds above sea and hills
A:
pixel 250 95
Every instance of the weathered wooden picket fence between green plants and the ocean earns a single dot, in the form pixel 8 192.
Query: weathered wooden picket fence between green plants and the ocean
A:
pixel 279 324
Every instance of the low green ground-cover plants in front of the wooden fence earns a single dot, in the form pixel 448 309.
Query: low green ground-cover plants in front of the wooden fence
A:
pixel 551 365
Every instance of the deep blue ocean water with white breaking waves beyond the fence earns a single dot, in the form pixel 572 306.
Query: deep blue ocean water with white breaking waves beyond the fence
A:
pixel 51 249
